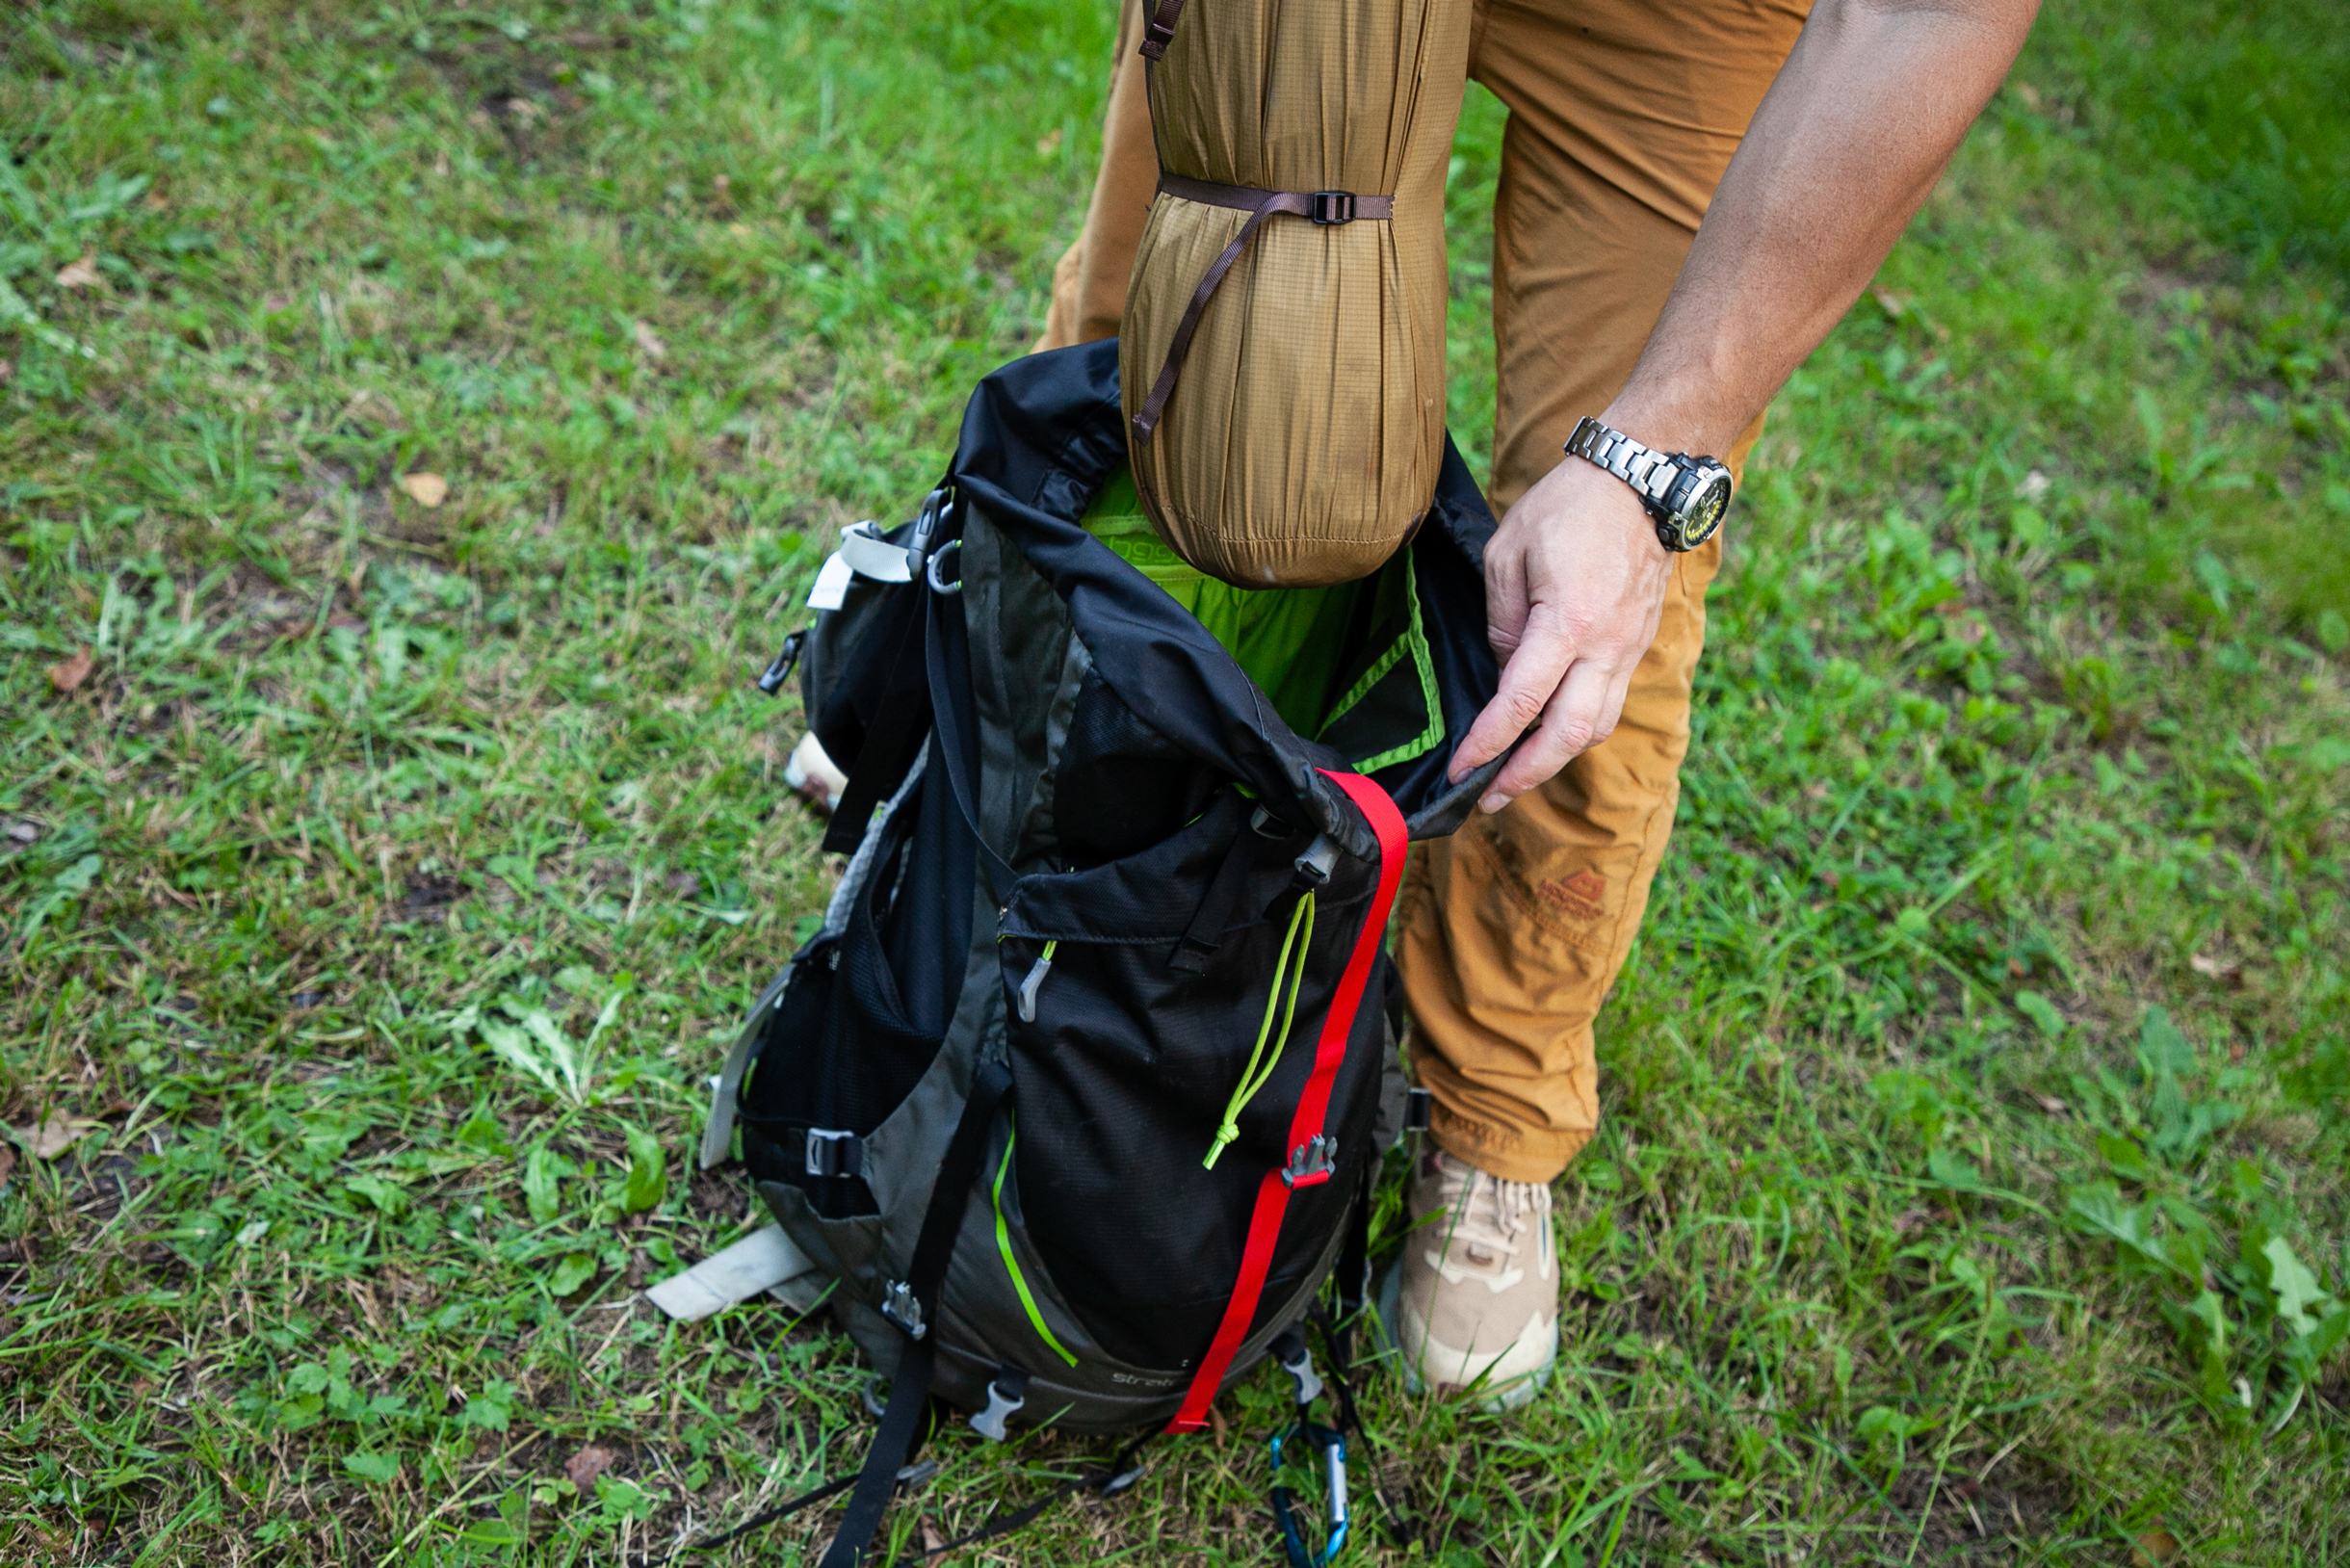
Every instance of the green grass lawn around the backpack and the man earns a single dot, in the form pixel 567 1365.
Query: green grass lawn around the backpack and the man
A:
pixel 1978 1099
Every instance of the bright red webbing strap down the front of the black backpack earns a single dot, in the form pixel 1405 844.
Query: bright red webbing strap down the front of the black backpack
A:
pixel 1312 1106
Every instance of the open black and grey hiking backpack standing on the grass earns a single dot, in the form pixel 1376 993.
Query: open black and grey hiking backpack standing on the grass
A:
pixel 1075 1097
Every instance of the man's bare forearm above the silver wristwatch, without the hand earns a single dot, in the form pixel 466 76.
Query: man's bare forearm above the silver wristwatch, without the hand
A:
pixel 1844 152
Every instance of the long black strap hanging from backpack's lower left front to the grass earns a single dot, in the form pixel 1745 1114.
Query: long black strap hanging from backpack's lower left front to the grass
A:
pixel 934 1247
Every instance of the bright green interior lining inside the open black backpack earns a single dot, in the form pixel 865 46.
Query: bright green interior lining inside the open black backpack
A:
pixel 1345 664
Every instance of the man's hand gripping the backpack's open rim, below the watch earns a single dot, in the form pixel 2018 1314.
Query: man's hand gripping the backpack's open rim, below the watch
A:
pixel 1573 591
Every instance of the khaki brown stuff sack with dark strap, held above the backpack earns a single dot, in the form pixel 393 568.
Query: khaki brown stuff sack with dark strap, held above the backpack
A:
pixel 1284 347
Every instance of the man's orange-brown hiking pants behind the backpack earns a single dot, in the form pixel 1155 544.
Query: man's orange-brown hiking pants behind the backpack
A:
pixel 1623 116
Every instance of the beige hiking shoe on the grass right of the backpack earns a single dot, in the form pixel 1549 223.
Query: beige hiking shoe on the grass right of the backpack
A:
pixel 1475 1304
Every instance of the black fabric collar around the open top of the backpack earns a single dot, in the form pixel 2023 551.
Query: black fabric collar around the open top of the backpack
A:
pixel 1045 436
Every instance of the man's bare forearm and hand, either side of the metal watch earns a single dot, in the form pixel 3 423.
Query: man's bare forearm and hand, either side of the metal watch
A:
pixel 1846 147
